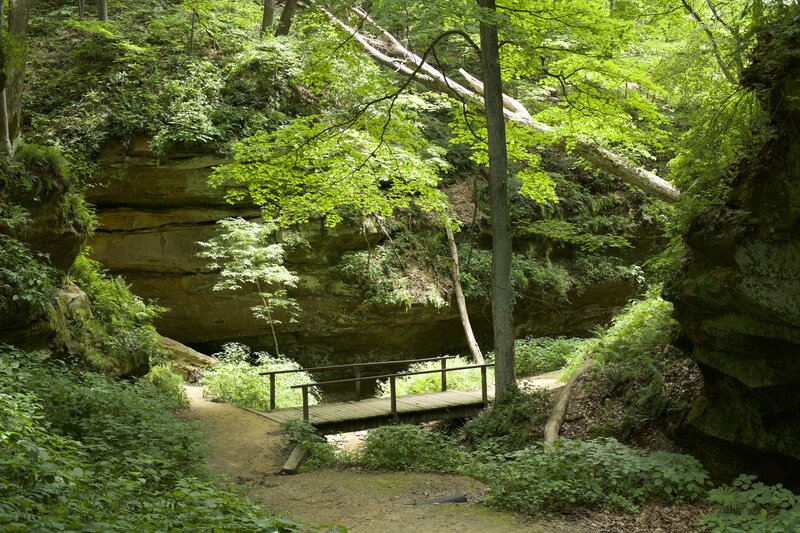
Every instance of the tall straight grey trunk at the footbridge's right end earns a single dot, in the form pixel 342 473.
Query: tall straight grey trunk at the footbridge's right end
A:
pixel 502 304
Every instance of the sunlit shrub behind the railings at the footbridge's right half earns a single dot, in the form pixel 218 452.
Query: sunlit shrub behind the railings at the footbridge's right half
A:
pixel 462 380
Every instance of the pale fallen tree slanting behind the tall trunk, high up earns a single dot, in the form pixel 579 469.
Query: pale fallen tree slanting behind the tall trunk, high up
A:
pixel 390 52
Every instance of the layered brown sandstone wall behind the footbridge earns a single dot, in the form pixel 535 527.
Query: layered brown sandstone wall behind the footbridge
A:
pixel 152 215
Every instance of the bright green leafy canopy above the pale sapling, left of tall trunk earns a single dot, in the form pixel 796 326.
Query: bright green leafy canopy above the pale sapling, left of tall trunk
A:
pixel 315 169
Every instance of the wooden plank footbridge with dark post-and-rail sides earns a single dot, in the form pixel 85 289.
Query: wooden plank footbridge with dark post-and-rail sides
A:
pixel 373 412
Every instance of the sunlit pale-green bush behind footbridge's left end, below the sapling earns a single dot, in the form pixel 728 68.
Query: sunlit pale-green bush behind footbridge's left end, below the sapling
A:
pixel 239 382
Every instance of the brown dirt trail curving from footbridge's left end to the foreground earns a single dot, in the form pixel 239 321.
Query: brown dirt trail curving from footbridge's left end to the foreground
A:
pixel 249 449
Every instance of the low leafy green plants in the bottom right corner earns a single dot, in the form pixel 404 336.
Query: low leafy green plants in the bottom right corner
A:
pixel 750 507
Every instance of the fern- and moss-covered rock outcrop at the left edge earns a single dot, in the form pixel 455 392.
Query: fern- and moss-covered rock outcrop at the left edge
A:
pixel 43 225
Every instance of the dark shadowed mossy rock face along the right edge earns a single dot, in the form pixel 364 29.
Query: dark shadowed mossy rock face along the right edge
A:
pixel 738 299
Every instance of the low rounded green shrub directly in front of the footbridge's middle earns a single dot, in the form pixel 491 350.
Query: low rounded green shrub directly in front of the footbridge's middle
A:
pixel 406 447
